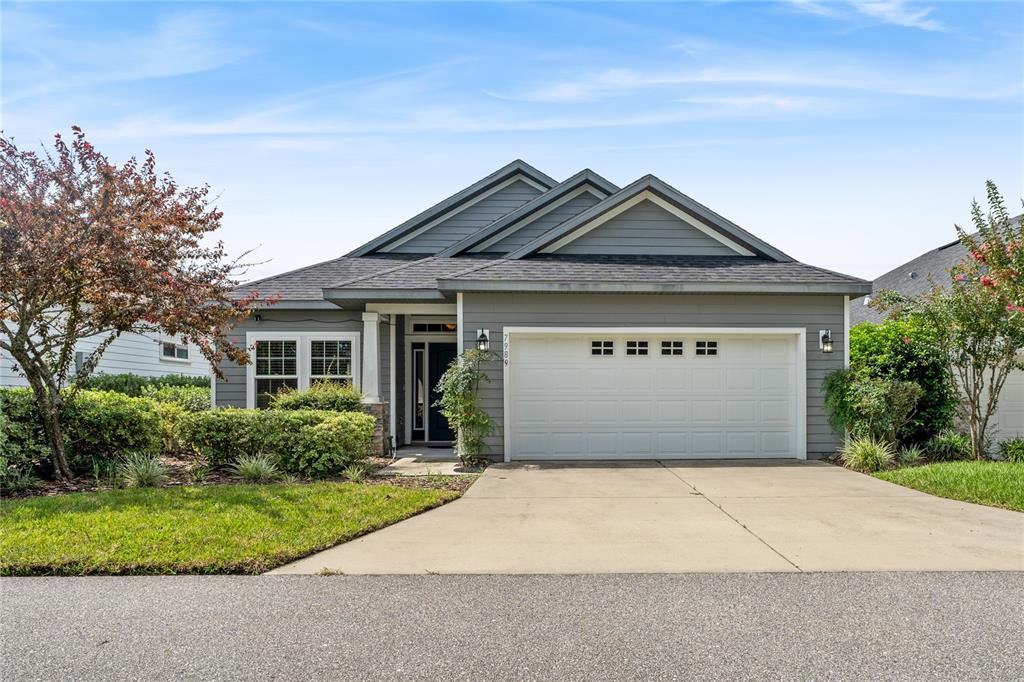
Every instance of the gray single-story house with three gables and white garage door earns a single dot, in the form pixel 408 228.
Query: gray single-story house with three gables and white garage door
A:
pixel 629 323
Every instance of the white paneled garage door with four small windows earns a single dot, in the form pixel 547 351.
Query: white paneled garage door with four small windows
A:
pixel 650 396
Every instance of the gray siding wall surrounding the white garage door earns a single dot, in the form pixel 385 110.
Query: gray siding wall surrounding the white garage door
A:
pixel 494 312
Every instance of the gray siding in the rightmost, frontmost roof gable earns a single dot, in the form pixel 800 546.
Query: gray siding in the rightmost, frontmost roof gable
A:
pixel 647 229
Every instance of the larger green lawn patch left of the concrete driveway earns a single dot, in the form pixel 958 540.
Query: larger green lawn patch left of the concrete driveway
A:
pixel 211 530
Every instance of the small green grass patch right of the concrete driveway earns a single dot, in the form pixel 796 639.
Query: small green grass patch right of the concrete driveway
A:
pixel 993 484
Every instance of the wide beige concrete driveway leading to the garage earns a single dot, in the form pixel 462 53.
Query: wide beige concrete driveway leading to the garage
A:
pixel 685 518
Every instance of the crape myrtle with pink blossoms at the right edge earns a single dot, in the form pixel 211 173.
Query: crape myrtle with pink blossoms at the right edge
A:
pixel 977 319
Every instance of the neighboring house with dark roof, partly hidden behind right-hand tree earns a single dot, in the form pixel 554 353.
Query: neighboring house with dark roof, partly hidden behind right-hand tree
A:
pixel 916 278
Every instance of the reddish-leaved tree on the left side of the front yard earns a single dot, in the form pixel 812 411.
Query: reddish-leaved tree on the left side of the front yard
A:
pixel 93 249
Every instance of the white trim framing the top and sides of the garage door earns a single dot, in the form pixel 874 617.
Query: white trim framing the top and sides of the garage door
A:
pixel 799 332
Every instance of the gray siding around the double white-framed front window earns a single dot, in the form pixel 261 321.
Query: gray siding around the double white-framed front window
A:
pixel 232 390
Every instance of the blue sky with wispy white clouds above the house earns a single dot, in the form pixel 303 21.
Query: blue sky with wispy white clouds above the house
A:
pixel 850 135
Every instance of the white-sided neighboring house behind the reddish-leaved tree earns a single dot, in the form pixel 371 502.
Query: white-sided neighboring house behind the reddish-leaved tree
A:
pixel 145 355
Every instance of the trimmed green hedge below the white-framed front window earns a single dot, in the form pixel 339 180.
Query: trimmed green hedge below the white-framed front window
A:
pixel 312 443
